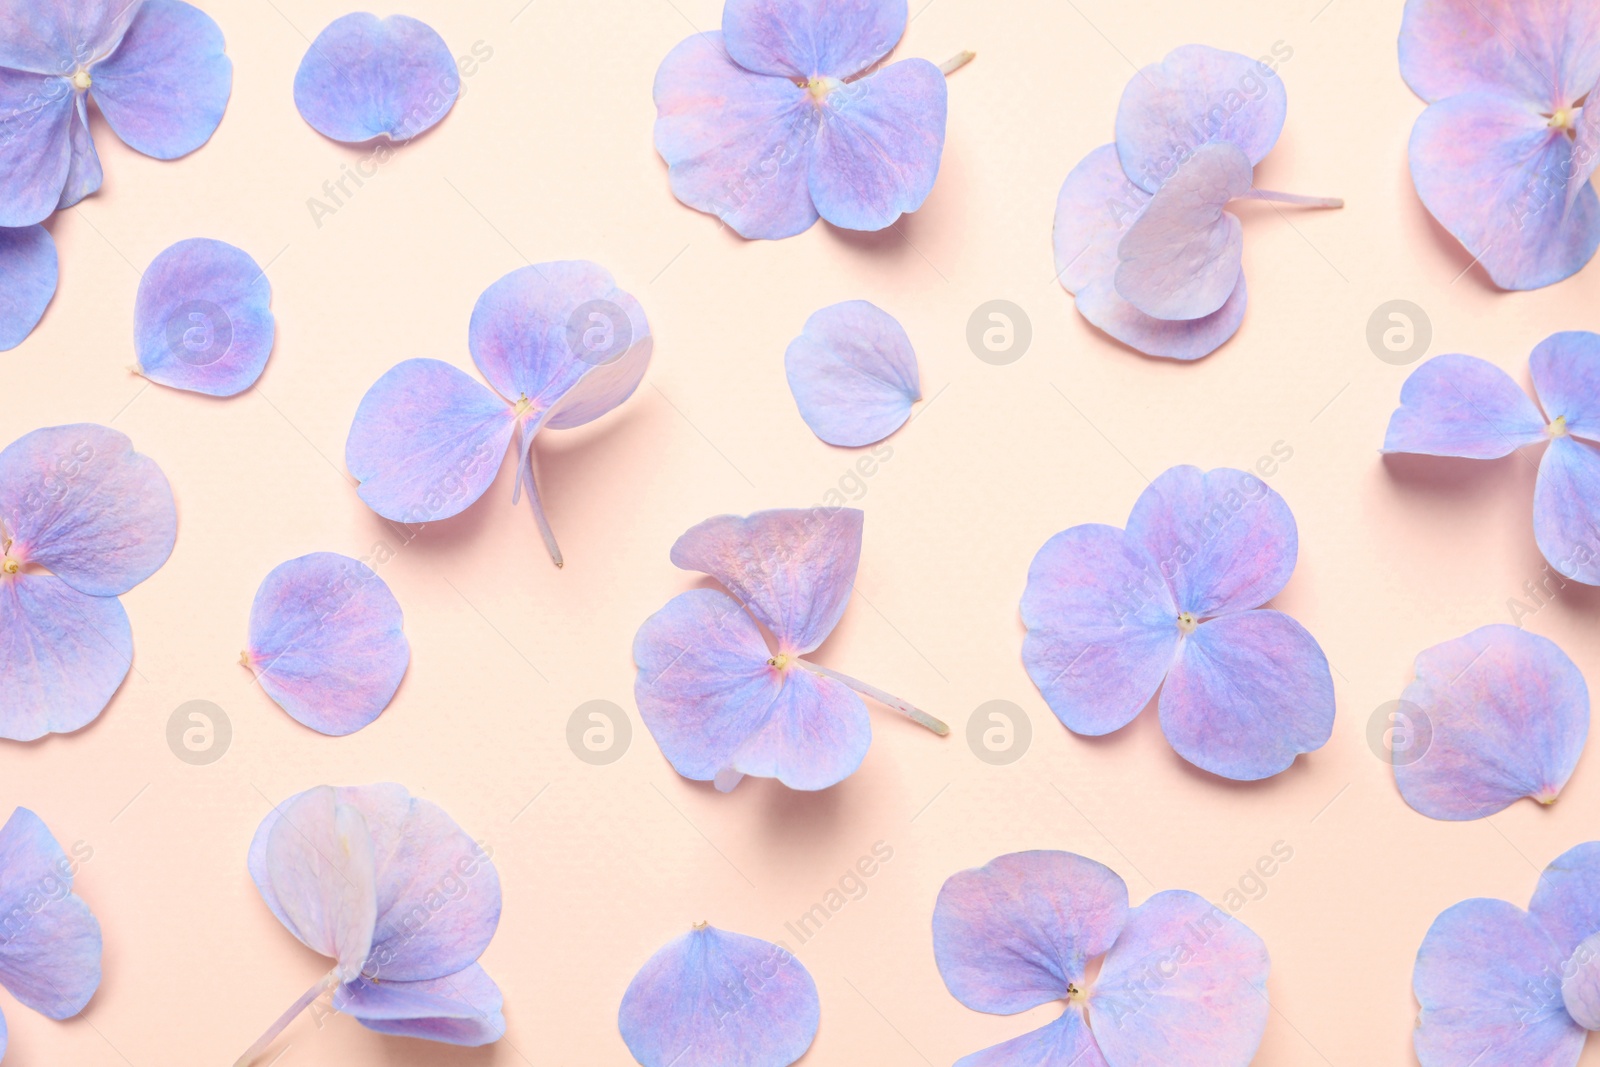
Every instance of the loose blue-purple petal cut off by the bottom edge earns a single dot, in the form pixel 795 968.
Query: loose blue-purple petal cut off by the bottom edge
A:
pixel 711 999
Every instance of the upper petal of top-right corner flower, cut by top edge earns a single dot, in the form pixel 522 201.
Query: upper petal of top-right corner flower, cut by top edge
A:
pixel 1542 52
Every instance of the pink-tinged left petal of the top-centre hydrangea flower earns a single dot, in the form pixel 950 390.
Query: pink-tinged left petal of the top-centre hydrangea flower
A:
pixel 737 143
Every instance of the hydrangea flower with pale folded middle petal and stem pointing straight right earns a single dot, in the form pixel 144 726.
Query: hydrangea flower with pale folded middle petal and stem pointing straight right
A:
pixel 1143 236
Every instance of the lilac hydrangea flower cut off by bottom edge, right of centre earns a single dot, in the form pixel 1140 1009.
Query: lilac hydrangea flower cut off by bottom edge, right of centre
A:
pixel 1183 985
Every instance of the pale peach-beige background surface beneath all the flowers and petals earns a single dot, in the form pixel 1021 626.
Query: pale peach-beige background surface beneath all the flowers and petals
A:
pixel 548 158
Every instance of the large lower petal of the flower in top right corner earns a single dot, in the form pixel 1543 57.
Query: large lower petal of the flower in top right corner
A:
pixel 1495 175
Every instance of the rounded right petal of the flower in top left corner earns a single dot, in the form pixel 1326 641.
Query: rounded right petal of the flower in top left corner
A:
pixel 167 86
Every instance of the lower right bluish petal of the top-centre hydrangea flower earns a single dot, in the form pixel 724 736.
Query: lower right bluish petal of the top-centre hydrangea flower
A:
pixel 881 143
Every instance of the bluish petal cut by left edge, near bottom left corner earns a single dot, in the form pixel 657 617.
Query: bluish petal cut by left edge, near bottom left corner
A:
pixel 50 943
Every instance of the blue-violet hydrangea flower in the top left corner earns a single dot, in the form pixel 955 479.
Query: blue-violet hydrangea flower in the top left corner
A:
pixel 154 68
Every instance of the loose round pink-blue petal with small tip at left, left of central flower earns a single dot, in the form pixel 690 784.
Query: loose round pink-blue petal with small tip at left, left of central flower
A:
pixel 326 636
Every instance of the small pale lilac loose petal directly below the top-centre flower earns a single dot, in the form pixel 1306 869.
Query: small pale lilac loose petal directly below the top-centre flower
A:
pixel 854 374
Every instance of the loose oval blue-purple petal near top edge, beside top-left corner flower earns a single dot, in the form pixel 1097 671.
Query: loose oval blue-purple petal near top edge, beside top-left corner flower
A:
pixel 367 78
